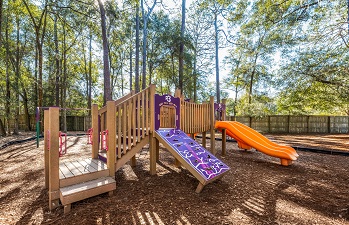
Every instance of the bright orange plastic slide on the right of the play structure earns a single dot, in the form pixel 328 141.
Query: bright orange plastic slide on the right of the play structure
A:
pixel 248 138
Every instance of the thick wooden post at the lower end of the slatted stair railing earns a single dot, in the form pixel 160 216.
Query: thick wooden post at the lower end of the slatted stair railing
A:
pixel 111 127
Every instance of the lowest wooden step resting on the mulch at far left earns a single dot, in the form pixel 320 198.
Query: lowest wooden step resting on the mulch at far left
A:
pixel 80 191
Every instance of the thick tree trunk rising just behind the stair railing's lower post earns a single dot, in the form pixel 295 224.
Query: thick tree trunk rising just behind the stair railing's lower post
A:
pixel 107 88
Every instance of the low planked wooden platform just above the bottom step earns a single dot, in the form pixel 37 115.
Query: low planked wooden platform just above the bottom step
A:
pixel 82 170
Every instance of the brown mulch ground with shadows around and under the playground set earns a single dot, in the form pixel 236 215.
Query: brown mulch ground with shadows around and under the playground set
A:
pixel 257 189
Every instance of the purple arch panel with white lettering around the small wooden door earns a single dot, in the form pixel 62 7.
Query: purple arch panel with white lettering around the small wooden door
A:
pixel 161 100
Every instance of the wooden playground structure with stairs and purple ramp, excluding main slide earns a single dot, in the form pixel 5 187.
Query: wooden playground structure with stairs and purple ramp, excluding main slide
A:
pixel 121 129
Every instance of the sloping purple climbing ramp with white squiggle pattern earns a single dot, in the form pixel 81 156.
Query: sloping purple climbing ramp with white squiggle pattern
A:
pixel 193 153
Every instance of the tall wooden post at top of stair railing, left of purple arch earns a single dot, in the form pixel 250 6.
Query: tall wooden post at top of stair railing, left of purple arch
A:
pixel 152 141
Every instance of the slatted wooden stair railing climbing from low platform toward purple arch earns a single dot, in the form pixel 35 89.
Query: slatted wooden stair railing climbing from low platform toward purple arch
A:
pixel 127 124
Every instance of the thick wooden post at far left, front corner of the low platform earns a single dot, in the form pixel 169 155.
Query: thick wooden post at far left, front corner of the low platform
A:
pixel 53 191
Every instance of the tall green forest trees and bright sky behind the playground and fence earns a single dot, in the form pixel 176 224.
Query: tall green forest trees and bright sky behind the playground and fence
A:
pixel 281 57
